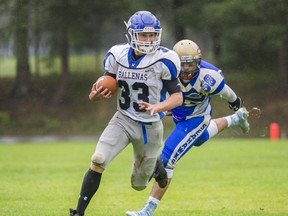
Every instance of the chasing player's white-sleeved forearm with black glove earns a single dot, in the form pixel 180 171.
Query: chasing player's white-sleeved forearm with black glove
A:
pixel 234 101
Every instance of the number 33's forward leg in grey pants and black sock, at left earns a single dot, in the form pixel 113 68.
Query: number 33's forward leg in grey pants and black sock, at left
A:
pixel 111 142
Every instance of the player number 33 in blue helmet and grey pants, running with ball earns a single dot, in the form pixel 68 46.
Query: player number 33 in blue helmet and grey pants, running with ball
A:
pixel 145 72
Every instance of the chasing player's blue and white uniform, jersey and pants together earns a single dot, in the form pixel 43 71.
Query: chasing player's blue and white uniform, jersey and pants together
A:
pixel 193 117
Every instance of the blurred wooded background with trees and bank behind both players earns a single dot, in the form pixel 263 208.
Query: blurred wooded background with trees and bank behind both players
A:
pixel 52 51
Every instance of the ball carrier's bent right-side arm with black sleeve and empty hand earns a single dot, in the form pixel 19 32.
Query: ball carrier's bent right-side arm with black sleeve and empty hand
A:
pixel 175 99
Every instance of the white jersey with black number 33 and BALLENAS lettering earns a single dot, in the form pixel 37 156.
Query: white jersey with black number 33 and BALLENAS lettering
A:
pixel 141 79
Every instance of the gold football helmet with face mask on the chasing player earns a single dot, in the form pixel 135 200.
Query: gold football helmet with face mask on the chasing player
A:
pixel 190 55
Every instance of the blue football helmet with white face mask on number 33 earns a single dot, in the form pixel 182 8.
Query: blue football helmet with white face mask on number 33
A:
pixel 143 21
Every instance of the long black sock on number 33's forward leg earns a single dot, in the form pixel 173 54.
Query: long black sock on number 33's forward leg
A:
pixel 89 187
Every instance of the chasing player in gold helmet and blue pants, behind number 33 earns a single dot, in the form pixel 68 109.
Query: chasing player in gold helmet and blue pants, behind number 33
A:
pixel 199 81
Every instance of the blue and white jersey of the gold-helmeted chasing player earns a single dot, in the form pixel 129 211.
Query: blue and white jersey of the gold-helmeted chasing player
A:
pixel 197 94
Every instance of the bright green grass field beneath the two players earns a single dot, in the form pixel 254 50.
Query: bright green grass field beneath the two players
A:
pixel 223 177
